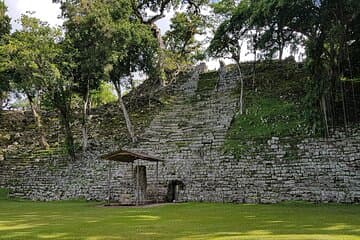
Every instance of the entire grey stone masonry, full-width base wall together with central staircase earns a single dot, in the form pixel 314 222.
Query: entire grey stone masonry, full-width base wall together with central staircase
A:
pixel 189 135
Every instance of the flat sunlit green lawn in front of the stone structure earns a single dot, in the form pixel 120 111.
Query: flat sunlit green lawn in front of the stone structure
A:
pixel 81 220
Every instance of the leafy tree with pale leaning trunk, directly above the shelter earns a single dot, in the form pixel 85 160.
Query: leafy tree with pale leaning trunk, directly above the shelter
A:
pixel 133 52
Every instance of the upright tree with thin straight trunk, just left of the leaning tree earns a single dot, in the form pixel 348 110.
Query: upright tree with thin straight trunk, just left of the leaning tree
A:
pixel 84 33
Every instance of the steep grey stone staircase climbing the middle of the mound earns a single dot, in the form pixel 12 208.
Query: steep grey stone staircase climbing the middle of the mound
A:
pixel 189 135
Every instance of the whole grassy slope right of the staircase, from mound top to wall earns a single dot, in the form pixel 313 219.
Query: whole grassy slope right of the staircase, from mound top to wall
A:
pixel 275 110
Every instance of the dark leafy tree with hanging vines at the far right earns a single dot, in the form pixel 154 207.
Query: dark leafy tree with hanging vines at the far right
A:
pixel 328 27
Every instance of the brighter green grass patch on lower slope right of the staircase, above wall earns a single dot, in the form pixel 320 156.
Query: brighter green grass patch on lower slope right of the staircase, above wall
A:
pixel 265 117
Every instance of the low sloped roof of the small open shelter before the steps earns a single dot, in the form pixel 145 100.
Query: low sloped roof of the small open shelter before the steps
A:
pixel 129 156
